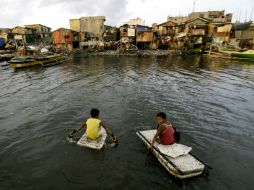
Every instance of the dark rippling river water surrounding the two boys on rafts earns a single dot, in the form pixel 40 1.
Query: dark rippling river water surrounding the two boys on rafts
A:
pixel 210 101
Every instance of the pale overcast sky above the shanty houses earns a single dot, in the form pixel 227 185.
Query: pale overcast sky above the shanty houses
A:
pixel 56 13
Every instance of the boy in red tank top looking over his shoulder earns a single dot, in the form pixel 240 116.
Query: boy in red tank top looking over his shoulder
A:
pixel 165 132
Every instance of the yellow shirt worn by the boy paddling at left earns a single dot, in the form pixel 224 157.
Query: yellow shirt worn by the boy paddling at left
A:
pixel 93 128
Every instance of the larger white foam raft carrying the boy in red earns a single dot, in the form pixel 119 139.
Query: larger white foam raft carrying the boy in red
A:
pixel 180 164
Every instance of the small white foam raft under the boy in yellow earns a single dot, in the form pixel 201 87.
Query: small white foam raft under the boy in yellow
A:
pixel 93 144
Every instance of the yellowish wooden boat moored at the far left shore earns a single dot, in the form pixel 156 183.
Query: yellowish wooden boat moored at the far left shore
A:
pixel 23 62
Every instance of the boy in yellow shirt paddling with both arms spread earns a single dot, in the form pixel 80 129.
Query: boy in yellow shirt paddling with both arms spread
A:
pixel 93 126
